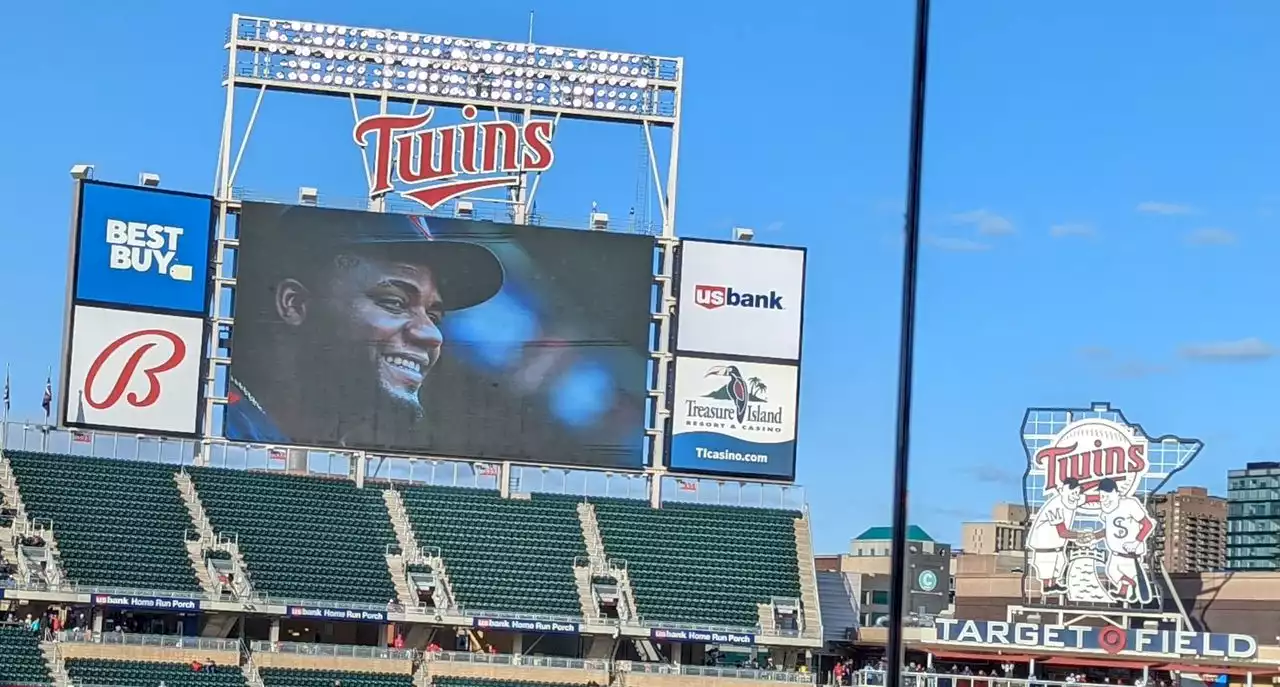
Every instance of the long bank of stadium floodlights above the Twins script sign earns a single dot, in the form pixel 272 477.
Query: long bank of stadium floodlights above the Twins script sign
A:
pixel 454 70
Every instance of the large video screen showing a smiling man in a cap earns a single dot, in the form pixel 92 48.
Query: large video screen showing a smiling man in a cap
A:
pixel 440 337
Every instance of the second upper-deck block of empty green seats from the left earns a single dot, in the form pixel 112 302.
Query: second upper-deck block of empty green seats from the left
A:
pixel 303 538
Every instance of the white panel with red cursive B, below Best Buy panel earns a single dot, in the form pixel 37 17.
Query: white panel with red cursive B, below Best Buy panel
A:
pixel 134 370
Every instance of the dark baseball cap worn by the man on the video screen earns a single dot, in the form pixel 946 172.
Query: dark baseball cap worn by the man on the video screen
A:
pixel 467 273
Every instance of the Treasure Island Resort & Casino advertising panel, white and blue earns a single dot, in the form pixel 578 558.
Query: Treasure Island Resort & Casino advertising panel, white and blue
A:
pixel 734 418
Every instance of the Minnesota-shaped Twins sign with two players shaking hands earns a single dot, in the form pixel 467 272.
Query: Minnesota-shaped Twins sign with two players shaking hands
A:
pixel 1091 535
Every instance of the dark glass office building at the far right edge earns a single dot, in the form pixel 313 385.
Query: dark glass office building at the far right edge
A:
pixel 1254 517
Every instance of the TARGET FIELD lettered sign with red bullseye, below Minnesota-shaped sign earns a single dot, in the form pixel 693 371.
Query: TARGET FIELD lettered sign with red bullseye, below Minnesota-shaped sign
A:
pixel 1096 640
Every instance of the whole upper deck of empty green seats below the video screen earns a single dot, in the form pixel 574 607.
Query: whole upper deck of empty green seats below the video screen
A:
pixel 217 542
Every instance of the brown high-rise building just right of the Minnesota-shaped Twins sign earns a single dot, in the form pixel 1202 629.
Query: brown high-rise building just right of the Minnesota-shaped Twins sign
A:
pixel 1192 533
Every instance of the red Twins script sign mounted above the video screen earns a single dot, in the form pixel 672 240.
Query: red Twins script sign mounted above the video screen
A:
pixel 438 164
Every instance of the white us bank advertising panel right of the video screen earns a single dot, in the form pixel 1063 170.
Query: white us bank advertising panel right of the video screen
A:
pixel 740 300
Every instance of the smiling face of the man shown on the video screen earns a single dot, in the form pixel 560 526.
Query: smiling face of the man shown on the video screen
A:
pixel 386 315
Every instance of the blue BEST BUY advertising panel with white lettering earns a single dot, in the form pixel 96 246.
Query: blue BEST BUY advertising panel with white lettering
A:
pixel 143 248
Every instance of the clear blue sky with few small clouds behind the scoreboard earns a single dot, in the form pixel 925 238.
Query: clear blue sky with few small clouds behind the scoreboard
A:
pixel 1100 201
